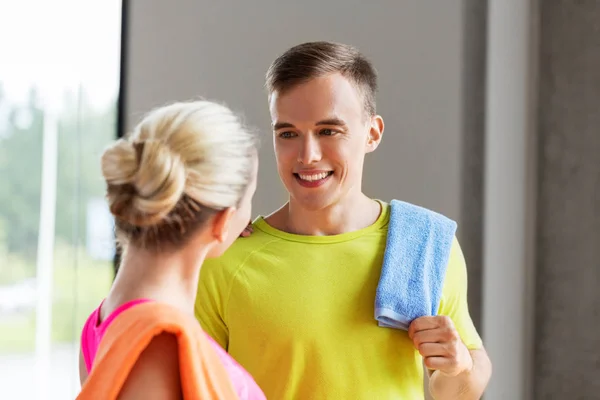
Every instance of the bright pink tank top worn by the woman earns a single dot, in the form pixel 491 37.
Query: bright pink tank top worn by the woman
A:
pixel 94 330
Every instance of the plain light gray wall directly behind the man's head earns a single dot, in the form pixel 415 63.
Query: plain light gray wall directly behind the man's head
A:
pixel 185 49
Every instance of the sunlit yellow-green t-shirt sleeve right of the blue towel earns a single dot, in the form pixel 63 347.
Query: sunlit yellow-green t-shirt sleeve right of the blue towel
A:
pixel 454 298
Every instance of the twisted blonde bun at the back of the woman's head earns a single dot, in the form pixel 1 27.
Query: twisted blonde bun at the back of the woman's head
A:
pixel 146 180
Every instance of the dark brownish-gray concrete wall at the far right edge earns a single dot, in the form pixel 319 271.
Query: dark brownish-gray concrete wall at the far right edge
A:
pixel 567 346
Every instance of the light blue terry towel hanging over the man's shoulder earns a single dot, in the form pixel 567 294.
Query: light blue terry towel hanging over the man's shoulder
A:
pixel 414 265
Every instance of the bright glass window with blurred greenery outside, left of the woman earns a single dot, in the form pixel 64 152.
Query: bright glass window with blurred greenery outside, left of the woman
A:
pixel 59 82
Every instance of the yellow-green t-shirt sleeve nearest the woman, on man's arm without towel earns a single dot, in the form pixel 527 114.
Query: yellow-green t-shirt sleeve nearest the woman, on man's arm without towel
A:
pixel 211 301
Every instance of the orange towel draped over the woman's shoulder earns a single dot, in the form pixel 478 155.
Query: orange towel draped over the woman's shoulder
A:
pixel 202 374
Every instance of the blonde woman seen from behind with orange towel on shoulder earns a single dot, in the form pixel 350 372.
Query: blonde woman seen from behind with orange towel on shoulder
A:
pixel 180 189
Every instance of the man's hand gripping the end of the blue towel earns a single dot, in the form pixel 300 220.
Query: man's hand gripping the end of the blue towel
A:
pixel 440 345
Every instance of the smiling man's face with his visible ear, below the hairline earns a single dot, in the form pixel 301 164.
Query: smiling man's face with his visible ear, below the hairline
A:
pixel 321 136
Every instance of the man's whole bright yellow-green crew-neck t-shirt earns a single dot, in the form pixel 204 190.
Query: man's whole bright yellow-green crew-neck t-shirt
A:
pixel 298 313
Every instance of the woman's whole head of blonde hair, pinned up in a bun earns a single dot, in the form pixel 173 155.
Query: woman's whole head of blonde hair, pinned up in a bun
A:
pixel 182 163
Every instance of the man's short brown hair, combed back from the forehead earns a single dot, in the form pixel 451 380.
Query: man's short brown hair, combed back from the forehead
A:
pixel 310 60
